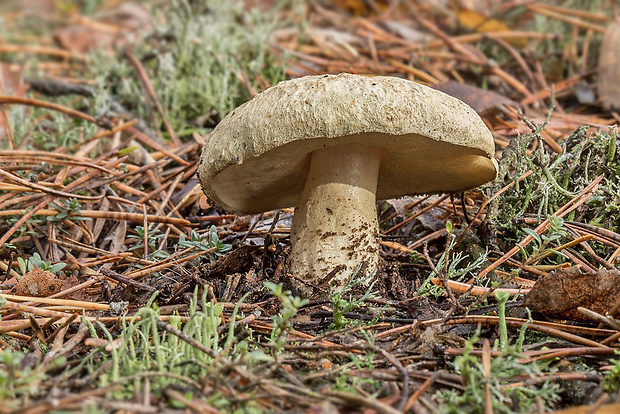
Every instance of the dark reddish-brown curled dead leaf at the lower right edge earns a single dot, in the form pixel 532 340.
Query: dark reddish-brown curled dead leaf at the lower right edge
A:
pixel 559 294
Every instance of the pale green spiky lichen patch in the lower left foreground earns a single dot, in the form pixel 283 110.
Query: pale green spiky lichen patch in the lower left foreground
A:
pixel 143 349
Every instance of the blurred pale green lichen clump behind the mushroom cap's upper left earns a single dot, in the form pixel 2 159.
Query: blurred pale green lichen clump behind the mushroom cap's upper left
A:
pixel 204 60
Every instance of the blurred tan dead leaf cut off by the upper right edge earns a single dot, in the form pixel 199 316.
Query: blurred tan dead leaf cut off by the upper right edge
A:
pixel 609 68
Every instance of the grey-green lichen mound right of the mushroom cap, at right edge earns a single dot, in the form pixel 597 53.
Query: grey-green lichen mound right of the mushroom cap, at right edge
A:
pixel 555 180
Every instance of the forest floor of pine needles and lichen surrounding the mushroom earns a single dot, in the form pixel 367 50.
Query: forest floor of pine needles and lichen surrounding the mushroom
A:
pixel 161 300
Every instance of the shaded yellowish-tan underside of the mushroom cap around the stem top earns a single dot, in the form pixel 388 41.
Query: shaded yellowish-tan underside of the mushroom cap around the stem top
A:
pixel 411 164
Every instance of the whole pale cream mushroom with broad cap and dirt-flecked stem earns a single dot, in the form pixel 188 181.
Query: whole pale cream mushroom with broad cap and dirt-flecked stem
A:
pixel 333 145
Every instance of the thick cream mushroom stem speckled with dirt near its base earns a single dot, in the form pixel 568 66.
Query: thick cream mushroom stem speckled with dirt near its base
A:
pixel 335 227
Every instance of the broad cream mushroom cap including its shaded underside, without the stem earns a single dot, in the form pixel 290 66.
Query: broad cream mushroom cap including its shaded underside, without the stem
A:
pixel 257 158
